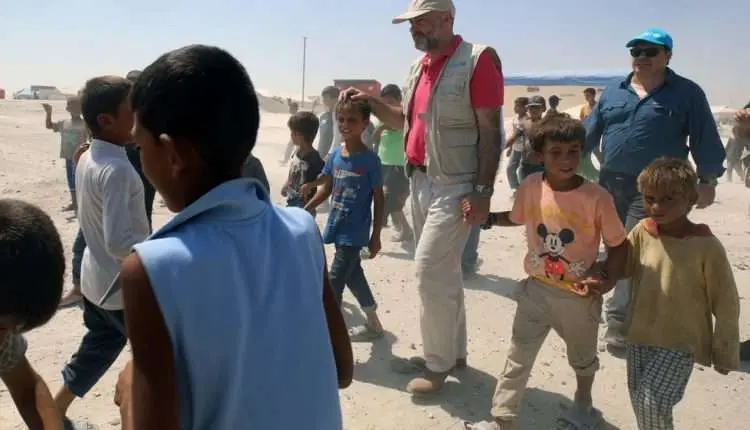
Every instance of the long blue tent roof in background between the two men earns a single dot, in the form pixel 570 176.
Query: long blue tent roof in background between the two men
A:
pixel 586 78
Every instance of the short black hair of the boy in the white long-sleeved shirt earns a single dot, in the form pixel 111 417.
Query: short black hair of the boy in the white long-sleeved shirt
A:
pixel 102 95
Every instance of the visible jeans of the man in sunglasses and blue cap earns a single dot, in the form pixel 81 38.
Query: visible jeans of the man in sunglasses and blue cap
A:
pixel 629 206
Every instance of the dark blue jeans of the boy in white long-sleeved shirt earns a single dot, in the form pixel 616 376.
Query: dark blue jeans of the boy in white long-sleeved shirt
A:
pixel 100 347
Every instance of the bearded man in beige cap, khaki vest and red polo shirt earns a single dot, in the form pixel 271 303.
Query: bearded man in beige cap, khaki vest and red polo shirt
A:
pixel 451 116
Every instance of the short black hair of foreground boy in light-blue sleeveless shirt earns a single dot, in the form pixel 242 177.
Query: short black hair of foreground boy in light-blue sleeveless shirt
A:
pixel 202 96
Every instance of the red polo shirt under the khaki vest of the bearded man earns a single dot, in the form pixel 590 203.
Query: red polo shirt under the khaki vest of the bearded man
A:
pixel 486 89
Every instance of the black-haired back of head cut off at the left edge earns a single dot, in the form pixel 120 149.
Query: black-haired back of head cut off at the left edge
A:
pixel 32 264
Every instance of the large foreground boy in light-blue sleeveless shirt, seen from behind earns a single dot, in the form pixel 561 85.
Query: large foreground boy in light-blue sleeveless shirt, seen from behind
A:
pixel 223 336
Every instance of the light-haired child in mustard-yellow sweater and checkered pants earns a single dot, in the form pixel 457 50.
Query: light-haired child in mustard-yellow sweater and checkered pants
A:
pixel 669 325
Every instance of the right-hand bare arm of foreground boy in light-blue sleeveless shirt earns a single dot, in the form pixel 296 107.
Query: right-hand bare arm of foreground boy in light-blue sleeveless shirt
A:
pixel 342 347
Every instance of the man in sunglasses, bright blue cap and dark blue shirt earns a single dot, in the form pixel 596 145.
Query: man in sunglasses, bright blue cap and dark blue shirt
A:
pixel 652 113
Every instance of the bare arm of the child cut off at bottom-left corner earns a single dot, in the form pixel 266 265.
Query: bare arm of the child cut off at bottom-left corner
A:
pixel 32 397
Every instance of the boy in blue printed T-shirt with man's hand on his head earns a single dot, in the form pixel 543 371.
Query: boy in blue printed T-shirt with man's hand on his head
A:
pixel 352 178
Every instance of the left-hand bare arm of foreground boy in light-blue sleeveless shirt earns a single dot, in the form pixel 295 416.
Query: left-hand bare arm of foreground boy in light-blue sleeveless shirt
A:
pixel 154 390
